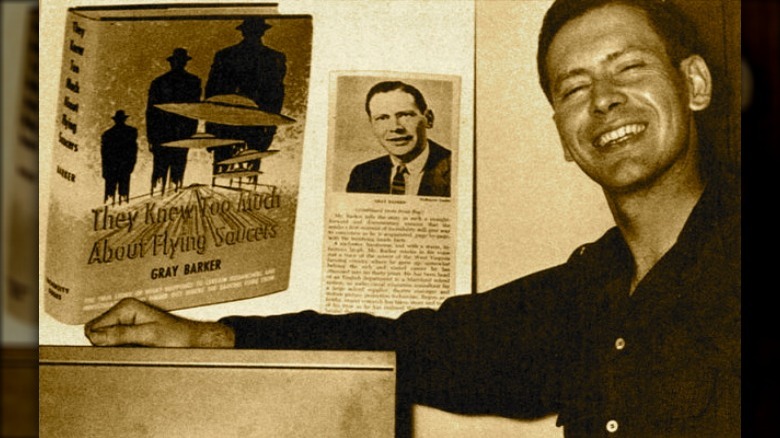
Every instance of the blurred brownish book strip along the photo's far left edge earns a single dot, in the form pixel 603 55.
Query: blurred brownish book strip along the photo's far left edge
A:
pixel 20 173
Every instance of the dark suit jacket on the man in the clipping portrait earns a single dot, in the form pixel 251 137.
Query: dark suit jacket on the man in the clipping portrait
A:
pixel 374 176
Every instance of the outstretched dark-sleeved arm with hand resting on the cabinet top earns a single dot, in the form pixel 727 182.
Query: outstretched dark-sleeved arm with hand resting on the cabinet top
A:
pixel 498 352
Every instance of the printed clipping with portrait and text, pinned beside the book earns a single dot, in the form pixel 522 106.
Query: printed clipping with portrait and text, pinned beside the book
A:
pixel 391 213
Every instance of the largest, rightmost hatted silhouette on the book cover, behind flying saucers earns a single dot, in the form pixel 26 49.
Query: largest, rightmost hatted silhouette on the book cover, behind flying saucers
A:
pixel 254 70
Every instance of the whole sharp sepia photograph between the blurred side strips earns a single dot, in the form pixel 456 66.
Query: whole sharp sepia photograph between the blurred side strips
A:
pixel 512 218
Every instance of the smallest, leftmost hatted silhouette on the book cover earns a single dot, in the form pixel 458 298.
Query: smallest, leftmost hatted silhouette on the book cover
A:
pixel 118 152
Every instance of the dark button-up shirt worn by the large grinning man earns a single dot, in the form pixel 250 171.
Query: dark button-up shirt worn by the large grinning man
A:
pixel 662 362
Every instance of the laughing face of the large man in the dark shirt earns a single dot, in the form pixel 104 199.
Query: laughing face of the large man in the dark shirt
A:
pixel 622 110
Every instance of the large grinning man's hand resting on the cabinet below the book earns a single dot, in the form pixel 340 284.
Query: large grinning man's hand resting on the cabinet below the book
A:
pixel 133 322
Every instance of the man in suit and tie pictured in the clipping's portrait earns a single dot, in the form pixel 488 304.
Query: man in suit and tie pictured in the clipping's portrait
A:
pixel 414 164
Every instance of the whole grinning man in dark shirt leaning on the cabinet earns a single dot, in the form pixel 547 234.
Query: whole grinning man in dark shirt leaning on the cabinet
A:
pixel 638 333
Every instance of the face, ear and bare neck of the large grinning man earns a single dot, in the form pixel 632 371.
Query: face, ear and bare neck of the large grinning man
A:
pixel 624 112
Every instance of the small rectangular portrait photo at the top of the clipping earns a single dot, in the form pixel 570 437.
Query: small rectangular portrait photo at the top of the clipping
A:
pixel 390 119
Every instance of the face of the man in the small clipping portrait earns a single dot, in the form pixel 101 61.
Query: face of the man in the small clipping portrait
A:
pixel 399 125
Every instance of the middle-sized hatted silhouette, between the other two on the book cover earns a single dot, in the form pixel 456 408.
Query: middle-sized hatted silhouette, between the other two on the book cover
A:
pixel 175 86
